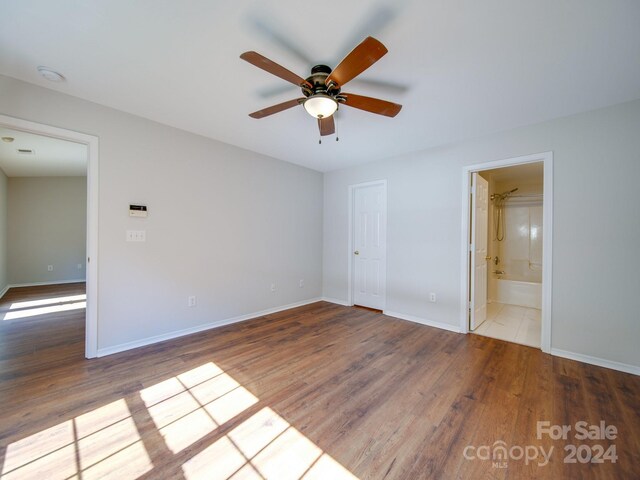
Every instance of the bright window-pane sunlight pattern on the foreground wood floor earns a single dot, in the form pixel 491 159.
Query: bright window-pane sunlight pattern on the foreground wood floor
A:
pixel 105 442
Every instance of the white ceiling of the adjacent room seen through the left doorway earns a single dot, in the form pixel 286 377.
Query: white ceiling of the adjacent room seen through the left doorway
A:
pixel 51 157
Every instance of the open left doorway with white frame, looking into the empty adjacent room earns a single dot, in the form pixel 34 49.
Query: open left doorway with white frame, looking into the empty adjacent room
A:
pixel 49 229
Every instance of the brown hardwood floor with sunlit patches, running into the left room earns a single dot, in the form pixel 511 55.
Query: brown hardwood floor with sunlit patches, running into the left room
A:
pixel 320 391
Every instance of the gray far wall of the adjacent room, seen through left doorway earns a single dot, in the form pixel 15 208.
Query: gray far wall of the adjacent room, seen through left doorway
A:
pixel 47 225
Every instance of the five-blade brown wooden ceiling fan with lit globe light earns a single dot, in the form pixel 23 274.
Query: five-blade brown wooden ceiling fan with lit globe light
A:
pixel 322 89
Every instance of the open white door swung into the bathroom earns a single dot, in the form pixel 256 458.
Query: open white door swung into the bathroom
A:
pixel 479 222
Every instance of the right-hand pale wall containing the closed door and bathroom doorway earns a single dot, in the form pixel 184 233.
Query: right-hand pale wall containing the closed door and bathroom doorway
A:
pixel 596 227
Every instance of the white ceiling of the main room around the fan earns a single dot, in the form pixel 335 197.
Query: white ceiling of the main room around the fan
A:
pixel 470 67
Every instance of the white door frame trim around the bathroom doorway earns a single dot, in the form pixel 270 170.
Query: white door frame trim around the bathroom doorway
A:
pixel 547 236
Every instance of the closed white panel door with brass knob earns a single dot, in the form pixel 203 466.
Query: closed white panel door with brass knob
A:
pixel 370 245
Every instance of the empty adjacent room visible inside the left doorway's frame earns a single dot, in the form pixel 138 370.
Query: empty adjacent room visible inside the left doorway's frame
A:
pixel 45 230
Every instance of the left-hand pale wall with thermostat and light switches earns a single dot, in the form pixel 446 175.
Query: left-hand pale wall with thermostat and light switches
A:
pixel 224 223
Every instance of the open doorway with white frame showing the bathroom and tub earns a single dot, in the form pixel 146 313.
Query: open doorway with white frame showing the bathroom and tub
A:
pixel 508 250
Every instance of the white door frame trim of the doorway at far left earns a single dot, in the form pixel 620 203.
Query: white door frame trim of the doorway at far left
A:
pixel 91 141
